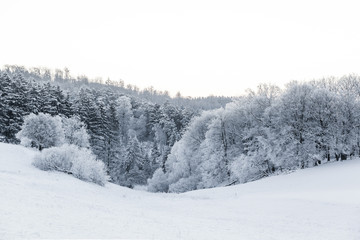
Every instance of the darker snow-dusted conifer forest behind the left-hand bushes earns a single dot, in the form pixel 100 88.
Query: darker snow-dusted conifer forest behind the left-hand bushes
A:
pixel 132 136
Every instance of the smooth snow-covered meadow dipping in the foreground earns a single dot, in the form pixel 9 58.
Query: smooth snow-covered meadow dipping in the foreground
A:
pixel 317 203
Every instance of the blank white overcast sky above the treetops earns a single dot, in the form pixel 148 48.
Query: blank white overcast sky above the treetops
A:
pixel 195 47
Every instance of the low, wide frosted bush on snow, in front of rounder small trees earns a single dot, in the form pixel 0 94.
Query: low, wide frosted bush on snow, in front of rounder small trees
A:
pixel 79 162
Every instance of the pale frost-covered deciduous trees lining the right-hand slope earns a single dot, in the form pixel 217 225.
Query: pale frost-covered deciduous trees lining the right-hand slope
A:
pixel 266 132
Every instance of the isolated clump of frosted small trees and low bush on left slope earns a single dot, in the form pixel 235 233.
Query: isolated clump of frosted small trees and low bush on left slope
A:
pixel 64 146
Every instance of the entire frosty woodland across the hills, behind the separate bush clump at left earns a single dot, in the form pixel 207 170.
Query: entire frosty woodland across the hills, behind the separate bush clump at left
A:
pixel 181 144
